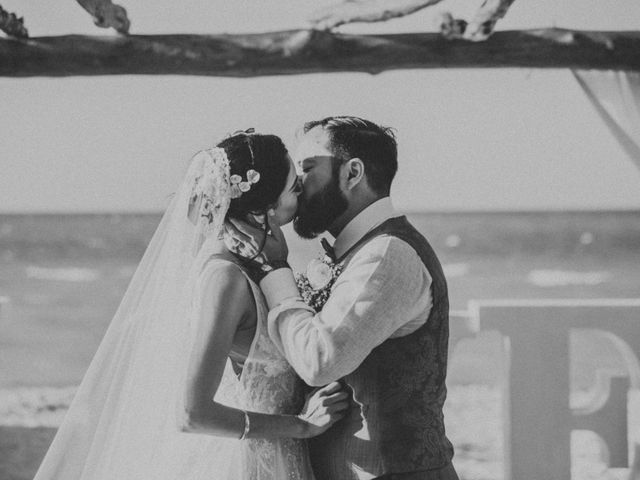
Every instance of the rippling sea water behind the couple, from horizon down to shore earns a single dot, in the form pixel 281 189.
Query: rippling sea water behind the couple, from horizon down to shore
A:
pixel 63 275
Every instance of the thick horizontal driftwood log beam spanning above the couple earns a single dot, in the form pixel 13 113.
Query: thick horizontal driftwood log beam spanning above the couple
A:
pixel 310 51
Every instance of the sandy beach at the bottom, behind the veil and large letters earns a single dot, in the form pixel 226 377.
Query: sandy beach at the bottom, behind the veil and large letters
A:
pixel 30 416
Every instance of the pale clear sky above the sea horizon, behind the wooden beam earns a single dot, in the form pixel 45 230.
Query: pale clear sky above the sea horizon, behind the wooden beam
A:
pixel 469 139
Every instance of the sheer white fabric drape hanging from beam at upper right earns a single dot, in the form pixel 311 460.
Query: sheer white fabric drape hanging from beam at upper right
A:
pixel 616 97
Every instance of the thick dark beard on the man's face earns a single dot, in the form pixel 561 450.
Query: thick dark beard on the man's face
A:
pixel 316 214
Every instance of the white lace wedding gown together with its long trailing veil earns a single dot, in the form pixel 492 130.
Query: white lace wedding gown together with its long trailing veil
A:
pixel 122 423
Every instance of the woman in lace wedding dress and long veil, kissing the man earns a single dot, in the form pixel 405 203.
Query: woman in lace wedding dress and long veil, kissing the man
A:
pixel 186 383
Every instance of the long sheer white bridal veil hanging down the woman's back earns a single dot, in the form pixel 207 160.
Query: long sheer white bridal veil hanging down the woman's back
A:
pixel 122 422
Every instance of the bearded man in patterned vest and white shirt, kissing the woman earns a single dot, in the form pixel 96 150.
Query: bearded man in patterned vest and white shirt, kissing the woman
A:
pixel 384 328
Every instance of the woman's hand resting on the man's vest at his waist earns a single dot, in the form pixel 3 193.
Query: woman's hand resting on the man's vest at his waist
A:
pixel 324 407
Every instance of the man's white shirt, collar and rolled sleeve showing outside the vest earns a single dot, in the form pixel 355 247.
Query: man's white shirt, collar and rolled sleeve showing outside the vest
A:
pixel 385 292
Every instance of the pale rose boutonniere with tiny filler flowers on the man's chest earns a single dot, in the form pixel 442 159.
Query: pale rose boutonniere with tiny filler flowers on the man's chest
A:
pixel 315 284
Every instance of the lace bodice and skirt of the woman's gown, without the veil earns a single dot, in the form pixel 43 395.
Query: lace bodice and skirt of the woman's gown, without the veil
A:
pixel 267 384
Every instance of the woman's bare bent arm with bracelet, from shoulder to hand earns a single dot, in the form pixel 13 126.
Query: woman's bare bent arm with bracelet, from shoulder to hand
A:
pixel 227 301
